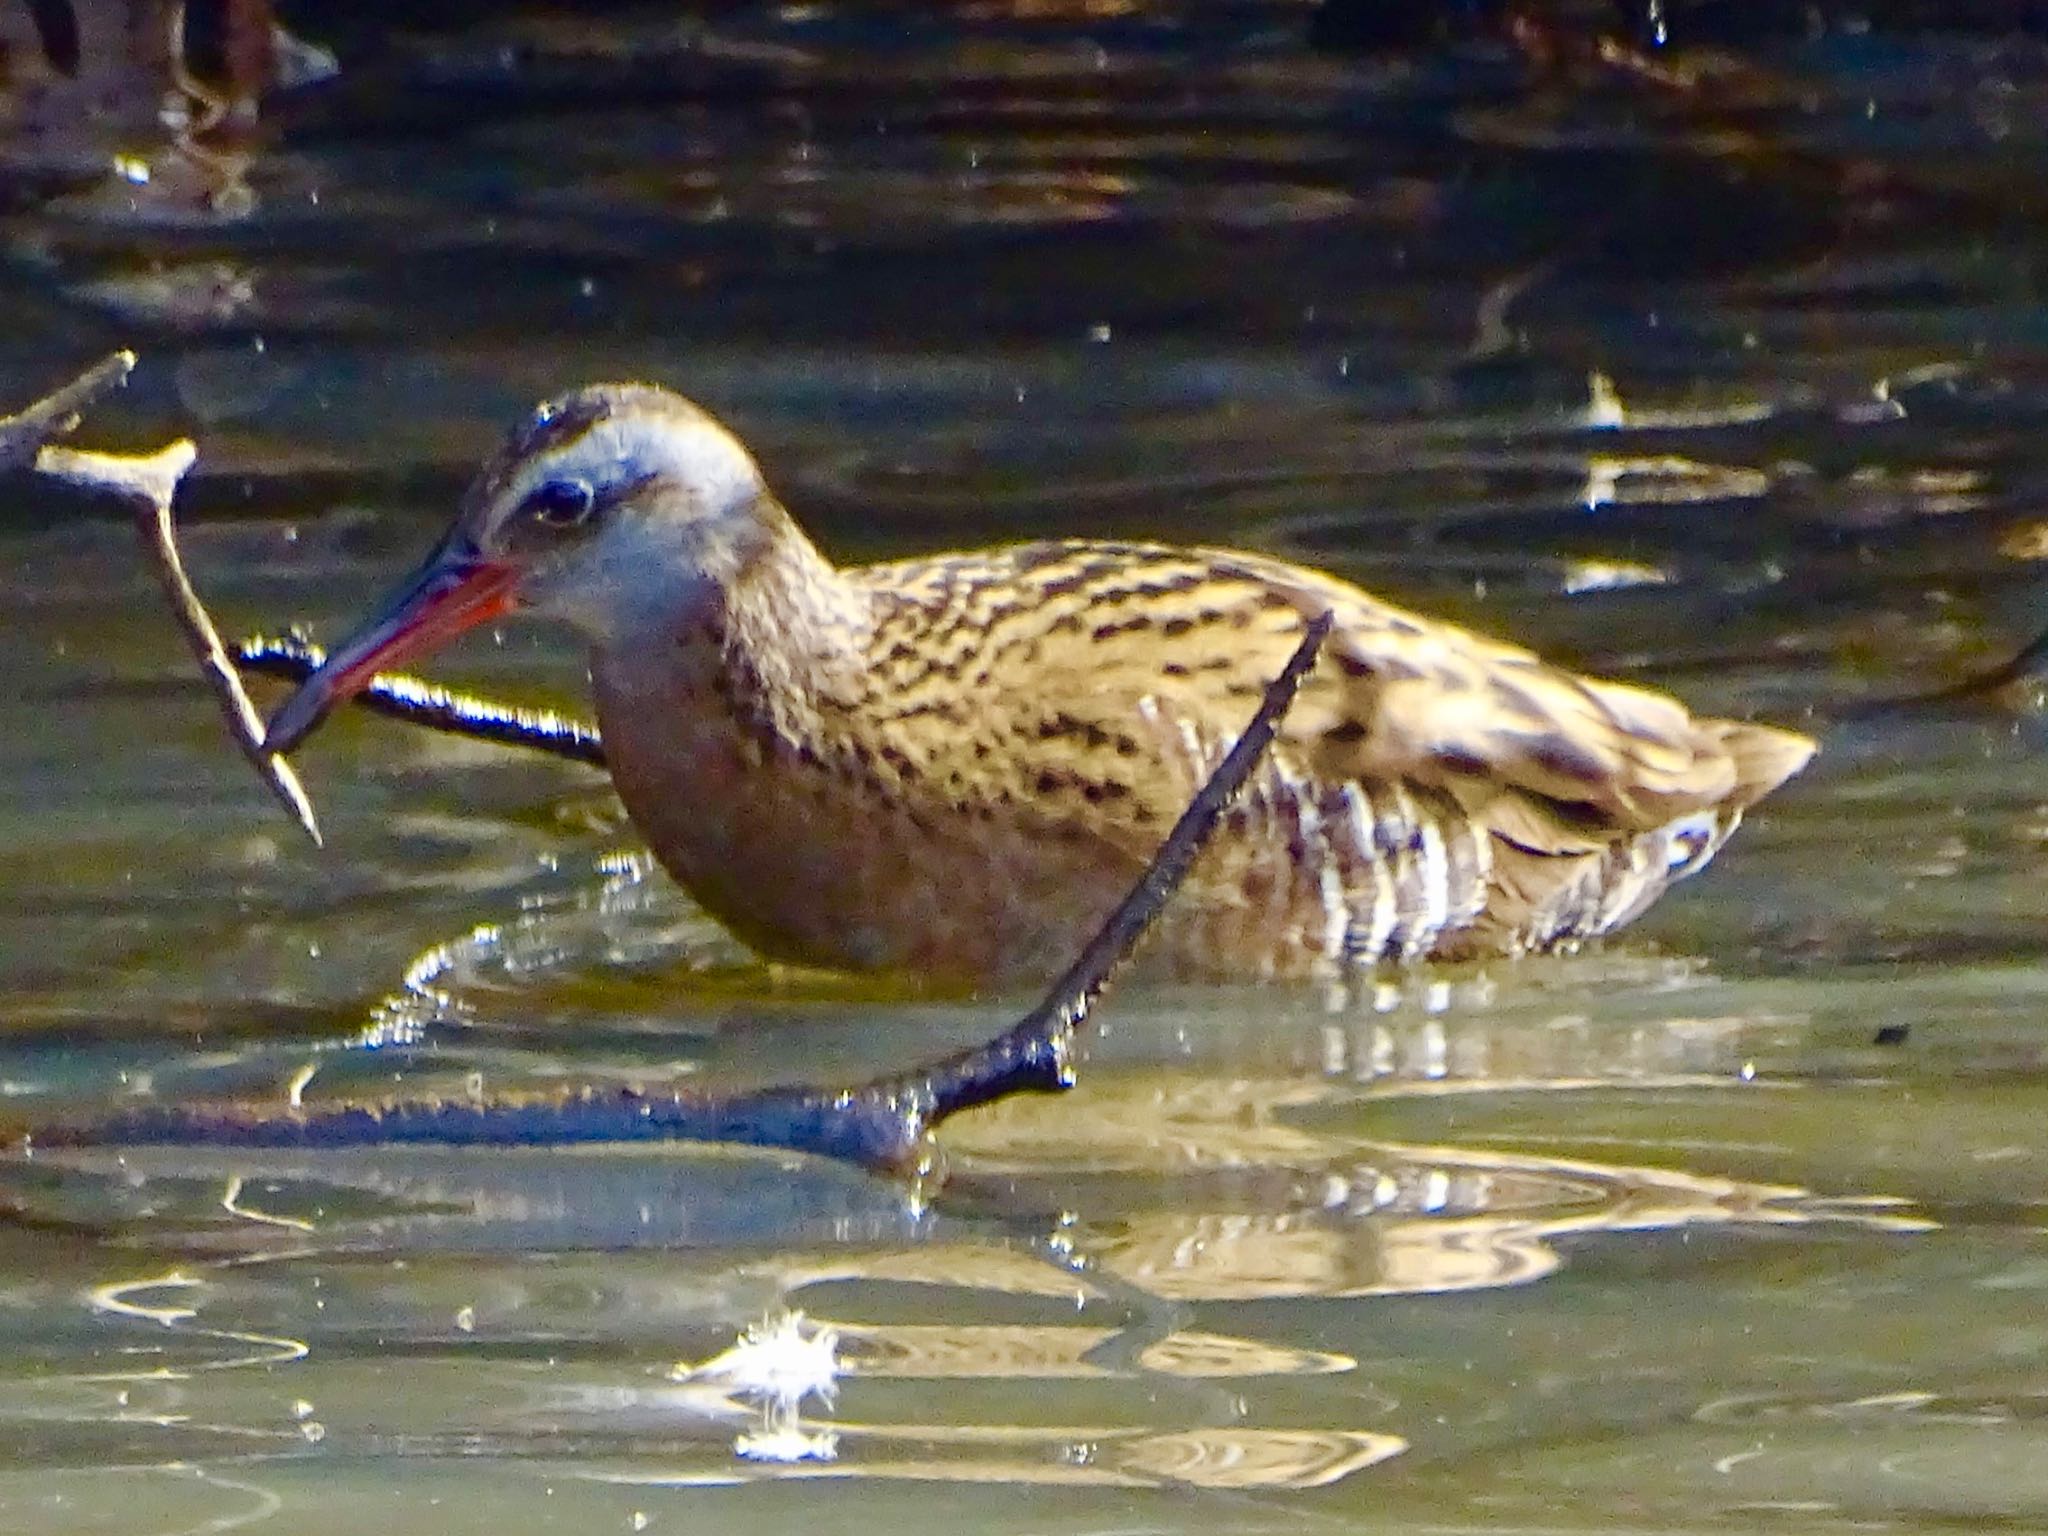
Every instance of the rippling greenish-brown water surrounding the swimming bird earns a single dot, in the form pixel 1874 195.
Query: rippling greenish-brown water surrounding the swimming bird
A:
pixel 1658 1238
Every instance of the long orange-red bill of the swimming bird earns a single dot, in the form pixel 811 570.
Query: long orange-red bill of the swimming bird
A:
pixel 456 591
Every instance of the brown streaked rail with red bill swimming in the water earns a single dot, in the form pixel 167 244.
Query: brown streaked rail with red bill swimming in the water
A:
pixel 955 767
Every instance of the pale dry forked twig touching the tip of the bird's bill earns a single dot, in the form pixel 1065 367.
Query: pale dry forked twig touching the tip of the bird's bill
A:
pixel 148 484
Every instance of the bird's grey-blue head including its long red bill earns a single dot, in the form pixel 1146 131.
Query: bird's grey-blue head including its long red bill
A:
pixel 605 509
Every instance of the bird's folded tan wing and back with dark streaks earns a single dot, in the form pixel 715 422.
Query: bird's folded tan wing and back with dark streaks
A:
pixel 1068 673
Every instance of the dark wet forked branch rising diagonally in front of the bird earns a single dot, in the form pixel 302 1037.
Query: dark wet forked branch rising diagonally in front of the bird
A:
pixel 882 1125
